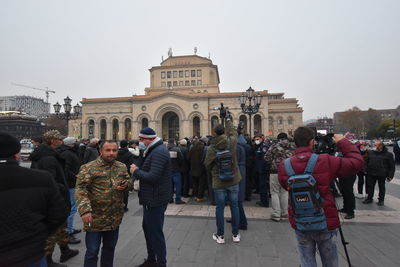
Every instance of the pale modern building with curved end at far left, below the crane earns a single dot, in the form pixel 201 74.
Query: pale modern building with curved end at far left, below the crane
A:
pixel 29 104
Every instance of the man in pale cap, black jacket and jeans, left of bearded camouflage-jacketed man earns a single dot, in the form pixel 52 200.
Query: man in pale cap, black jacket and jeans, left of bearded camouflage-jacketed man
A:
pixel 71 167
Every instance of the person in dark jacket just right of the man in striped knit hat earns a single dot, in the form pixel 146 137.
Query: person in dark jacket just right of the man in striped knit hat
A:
pixel 177 160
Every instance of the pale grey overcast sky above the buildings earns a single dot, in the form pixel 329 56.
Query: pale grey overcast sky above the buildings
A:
pixel 329 54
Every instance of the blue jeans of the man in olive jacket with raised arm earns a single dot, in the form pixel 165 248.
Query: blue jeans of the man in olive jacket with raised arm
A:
pixel 221 195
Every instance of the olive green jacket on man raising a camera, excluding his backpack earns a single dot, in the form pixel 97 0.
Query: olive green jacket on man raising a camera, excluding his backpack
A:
pixel 220 142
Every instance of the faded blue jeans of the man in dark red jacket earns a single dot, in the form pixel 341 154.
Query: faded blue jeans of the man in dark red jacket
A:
pixel 326 242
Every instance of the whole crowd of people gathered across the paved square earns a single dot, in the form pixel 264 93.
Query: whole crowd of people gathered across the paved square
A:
pixel 93 177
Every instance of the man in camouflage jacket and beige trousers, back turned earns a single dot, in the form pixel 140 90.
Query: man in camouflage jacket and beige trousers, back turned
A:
pixel 283 149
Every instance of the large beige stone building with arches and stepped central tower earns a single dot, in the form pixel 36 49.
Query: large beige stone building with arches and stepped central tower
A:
pixel 181 102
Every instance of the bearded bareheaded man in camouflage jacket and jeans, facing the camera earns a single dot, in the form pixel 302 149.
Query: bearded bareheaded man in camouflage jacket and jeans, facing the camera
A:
pixel 99 196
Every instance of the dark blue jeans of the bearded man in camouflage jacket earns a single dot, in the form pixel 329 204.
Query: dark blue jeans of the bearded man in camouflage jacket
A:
pixel 93 241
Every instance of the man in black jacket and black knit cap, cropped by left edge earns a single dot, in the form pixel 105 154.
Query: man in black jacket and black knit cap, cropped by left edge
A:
pixel 37 208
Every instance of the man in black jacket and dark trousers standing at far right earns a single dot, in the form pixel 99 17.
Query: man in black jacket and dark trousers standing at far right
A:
pixel 380 167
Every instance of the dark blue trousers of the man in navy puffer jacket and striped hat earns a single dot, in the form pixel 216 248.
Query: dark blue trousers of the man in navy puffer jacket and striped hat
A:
pixel 153 222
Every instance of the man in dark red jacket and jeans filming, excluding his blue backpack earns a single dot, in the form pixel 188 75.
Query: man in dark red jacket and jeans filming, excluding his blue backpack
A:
pixel 327 168
